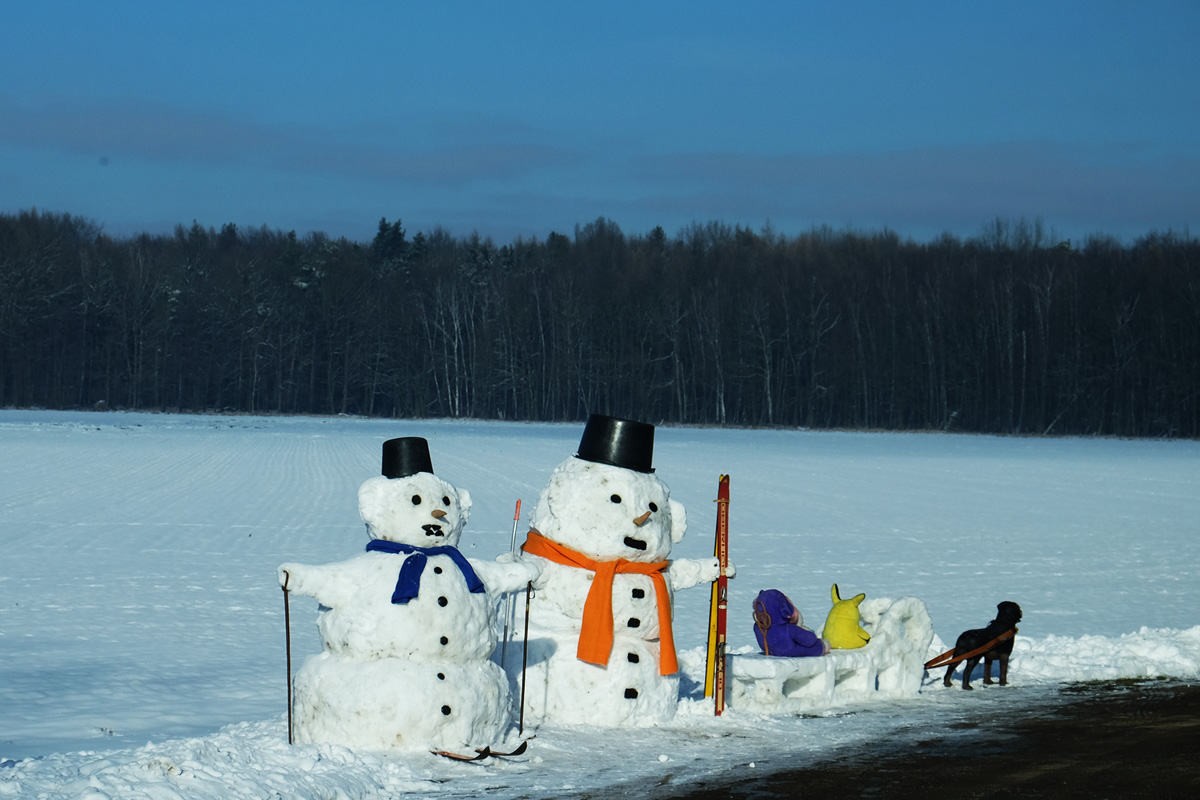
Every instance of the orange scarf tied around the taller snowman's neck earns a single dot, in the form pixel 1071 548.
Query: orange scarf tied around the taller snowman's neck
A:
pixel 596 636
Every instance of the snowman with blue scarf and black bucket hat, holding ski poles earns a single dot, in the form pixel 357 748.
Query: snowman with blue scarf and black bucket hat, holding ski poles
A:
pixel 409 627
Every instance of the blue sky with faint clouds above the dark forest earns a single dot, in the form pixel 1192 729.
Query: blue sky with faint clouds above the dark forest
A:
pixel 517 119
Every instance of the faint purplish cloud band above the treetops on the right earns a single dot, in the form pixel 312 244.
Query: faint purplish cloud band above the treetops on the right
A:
pixel 935 188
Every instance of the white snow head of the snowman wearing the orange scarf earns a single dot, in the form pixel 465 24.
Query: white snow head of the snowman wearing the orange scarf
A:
pixel 610 513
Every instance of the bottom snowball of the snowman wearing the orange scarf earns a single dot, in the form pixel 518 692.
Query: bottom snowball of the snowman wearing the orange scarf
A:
pixel 629 693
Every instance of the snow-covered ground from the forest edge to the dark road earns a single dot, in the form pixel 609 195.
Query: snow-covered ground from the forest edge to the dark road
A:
pixel 142 641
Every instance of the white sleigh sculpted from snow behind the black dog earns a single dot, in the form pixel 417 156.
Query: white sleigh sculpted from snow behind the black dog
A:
pixel 891 665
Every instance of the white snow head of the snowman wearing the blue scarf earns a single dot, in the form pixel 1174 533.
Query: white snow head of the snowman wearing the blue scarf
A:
pixel 421 510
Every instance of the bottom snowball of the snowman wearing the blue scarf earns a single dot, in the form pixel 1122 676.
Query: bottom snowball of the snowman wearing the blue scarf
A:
pixel 394 705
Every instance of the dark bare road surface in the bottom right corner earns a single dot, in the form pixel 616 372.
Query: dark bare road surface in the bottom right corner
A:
pixel 1096 741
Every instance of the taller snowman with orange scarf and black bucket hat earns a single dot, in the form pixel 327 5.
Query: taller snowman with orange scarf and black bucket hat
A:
pixel 602 648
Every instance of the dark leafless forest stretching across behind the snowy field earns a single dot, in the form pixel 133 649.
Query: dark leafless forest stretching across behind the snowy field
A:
pixel 1005 333
